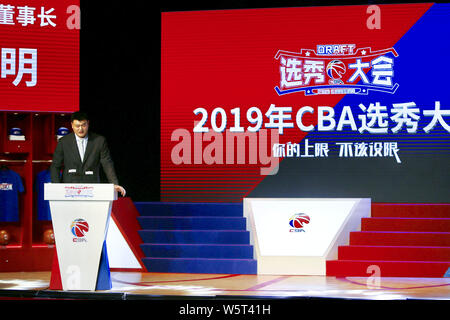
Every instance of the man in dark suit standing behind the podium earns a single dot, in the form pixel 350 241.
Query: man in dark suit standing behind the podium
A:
pixel 80 155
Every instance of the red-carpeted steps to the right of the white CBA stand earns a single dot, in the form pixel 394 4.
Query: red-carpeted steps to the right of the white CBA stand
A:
pixel 403 240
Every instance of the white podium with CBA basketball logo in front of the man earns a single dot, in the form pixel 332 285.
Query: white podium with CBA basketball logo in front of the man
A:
pixel 80 217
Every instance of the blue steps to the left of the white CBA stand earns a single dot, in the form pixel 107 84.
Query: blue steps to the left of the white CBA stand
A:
pixel 195 238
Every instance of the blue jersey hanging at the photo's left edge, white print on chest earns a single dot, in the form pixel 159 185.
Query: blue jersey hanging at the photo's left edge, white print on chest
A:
pixel 10 186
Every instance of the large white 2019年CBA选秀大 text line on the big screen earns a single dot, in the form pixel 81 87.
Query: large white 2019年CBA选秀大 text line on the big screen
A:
pixel 374 119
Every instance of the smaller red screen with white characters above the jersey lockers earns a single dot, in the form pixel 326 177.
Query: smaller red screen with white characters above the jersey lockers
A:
pixel 39 66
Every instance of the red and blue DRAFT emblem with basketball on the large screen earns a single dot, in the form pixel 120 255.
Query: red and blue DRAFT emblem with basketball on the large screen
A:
pixel 336 69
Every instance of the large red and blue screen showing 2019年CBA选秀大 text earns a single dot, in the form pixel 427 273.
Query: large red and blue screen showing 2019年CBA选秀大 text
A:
pixel 348 101
